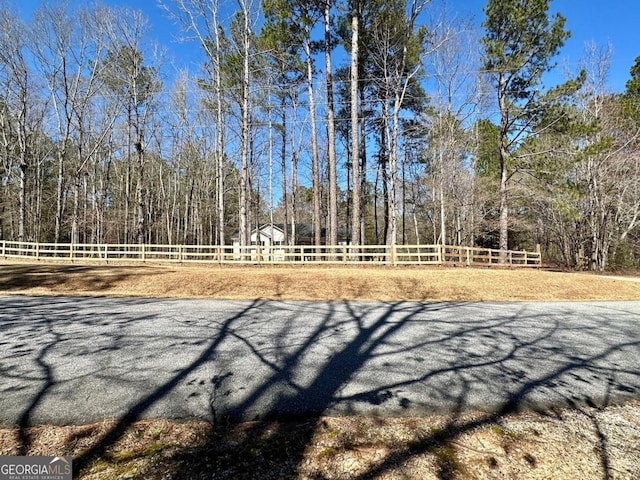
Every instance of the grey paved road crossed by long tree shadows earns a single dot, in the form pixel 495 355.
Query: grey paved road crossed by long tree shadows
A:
pixel 71 360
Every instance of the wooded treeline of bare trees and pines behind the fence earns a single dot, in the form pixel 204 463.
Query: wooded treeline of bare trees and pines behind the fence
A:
pixel 376 122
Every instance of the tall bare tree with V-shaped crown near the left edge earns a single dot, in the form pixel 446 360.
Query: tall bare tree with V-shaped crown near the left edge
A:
pixel 68 53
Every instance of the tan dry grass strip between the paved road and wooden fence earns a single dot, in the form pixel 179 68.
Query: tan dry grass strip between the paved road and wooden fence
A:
pixel 312 283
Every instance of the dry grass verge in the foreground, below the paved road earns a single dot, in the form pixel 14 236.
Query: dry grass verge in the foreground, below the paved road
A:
pixel 584 443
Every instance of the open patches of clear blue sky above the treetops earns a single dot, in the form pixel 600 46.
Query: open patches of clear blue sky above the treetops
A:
pixel 614 21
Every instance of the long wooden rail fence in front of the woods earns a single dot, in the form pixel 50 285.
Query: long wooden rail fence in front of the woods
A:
pixel 279 254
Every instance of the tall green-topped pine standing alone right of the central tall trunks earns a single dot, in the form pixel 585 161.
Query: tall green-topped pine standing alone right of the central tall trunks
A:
pixel 520 42
